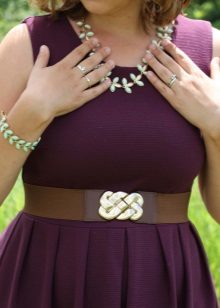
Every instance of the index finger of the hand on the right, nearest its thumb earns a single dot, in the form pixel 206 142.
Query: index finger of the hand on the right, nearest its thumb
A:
pixel 180 57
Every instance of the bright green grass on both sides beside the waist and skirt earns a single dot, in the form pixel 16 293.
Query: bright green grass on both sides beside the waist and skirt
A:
pixel 208 229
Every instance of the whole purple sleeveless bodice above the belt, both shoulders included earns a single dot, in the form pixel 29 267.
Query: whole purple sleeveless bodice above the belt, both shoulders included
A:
pixel 119 141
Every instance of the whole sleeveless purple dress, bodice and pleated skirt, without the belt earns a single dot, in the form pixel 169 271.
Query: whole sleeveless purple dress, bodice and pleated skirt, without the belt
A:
pixel 117 141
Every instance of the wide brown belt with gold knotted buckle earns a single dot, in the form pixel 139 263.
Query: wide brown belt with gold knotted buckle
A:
pixel 84 204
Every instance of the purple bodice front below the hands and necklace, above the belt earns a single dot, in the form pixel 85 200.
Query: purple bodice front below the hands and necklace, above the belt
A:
pixel 119 141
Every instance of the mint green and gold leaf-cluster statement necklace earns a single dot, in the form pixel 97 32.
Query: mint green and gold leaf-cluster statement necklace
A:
pixel 161 32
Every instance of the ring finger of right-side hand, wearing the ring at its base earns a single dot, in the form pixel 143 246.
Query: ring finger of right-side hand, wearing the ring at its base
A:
pixel 158 68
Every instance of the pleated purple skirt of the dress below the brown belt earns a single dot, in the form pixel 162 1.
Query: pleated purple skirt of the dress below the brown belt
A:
pixel 57 263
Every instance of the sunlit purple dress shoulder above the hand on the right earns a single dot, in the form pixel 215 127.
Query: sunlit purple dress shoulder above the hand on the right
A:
pixel 195 38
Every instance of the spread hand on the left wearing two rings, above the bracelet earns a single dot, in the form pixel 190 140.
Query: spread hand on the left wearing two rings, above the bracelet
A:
pixel 62 88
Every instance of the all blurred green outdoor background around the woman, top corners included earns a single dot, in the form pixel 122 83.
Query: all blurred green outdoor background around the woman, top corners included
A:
pixel 11 13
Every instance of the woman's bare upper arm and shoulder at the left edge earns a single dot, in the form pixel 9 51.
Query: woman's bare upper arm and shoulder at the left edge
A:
pixel 16 63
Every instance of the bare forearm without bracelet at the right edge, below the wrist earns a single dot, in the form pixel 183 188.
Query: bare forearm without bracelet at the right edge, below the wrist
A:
pixel 210 177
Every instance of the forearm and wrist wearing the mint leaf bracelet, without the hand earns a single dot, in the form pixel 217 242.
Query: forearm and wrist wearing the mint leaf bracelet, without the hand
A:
pixel 27 124
